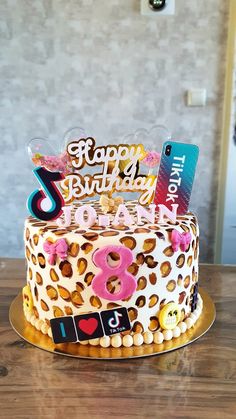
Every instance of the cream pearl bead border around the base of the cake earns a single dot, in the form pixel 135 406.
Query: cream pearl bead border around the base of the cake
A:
pixel 128 340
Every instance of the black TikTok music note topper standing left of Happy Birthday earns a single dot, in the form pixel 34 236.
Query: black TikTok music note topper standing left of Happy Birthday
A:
pixel 49 191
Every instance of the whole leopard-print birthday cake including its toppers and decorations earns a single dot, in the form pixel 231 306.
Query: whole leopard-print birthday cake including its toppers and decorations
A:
pixel 106 271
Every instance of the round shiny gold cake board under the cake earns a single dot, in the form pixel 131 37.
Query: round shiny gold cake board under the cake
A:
pixel 26 331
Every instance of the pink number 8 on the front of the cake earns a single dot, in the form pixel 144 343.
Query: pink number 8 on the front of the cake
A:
pixel 127 281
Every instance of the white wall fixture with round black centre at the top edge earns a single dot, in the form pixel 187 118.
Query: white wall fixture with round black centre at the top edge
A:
pixel 167 7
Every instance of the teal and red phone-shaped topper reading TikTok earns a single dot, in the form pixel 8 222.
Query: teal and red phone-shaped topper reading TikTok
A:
pixel 176 175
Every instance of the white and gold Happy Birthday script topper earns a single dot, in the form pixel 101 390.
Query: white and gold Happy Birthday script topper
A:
pixel 119 171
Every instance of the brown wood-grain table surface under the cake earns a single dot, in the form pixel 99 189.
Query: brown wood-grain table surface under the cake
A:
pixel 198 381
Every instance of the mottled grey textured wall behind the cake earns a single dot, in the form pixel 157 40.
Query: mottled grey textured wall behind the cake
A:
pixel 103 66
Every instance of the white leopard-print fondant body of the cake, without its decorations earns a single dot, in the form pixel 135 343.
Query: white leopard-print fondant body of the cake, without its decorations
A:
pixel 164 277
